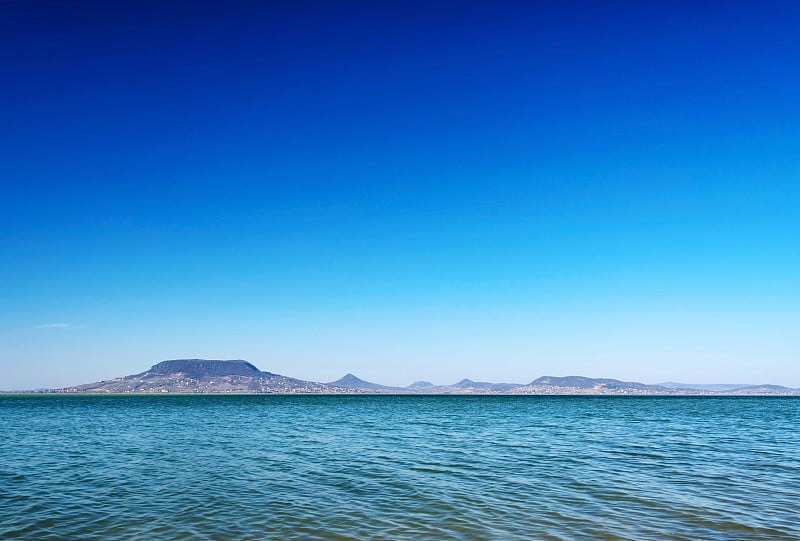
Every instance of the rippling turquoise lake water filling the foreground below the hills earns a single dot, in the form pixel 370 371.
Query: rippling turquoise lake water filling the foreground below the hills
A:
pixel 394 467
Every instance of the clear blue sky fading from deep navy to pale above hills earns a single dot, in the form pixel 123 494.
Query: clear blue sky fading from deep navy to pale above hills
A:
pixel 405 191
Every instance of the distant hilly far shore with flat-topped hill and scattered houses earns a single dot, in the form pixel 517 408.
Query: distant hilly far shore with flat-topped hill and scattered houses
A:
pixel 191 376
